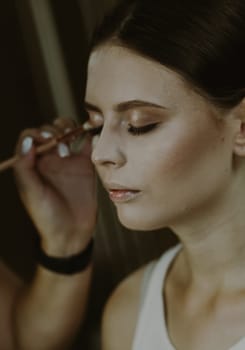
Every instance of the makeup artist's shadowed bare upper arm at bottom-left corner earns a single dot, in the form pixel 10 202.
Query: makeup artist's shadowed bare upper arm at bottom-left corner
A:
pixel 10 285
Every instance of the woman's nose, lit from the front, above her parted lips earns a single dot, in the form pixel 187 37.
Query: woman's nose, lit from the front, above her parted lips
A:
pixel 107 151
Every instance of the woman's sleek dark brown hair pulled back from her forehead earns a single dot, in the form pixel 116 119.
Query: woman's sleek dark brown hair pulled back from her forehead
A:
pixel 202 40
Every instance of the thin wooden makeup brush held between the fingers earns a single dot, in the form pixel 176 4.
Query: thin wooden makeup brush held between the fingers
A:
pixel 69 136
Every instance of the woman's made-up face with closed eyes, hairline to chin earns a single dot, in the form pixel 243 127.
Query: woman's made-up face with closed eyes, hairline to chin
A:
pixel 159 138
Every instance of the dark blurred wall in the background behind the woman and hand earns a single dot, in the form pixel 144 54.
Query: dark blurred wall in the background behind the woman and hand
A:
pixel 44 49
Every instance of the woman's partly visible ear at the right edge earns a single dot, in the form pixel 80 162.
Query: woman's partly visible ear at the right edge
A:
pixel 239 139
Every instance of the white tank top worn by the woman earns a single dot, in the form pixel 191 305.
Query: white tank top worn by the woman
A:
pixel 151 329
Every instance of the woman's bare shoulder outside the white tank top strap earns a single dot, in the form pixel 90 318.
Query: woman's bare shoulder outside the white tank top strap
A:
pixel 121 313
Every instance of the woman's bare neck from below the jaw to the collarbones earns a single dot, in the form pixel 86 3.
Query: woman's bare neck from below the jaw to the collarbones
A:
pixel 213 254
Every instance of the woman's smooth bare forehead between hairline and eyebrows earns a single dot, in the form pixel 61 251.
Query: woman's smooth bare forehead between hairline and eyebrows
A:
pixel 116 73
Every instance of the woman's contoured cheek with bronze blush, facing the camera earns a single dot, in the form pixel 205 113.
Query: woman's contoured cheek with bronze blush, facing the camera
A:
pixel 185 162
